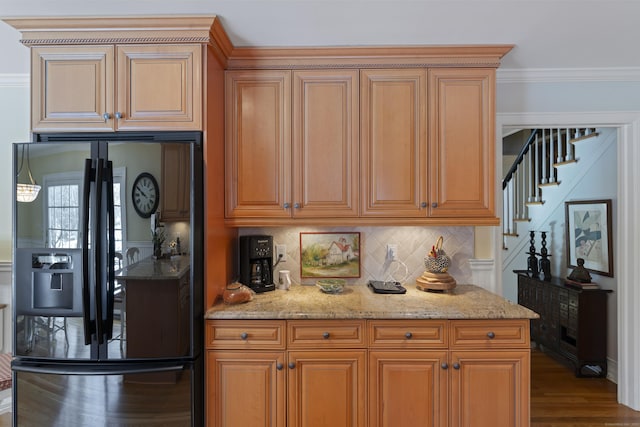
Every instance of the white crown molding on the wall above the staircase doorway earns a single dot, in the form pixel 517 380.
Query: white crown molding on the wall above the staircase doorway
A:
pixel 563 75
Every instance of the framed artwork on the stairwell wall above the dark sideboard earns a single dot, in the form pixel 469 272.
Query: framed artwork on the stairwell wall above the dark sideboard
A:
pixel 588 224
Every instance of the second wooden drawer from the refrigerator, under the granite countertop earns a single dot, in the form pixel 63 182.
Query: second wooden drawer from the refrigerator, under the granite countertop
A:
pixel 325 334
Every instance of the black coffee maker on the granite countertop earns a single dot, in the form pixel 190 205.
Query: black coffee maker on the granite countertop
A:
pixel 256 262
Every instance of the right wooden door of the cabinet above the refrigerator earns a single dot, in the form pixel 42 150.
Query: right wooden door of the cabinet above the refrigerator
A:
pixel 159 87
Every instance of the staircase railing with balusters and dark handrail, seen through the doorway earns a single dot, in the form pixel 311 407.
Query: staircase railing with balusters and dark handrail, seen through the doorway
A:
pixel 535 168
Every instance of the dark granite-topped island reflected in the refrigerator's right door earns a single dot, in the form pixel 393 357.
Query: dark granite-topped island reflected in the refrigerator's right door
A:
pixel 157 309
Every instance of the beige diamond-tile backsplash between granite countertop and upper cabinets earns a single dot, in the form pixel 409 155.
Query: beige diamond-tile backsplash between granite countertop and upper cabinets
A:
pixel 413 244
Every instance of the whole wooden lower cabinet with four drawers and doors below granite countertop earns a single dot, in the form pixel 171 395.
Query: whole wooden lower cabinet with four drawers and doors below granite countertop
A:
pixel 378 373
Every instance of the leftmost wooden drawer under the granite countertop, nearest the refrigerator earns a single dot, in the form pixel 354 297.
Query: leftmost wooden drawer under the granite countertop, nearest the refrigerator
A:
pixel 245 334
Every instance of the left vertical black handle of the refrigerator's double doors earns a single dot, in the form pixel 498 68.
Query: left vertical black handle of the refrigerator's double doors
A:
pixel 86 293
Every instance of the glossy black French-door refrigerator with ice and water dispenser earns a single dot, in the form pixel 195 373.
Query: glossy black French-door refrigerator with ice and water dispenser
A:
pixel 107 293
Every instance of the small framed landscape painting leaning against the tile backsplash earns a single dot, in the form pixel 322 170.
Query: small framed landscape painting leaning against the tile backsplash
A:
pixel 330 254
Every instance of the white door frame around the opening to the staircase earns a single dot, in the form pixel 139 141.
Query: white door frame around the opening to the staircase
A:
pixel 627 252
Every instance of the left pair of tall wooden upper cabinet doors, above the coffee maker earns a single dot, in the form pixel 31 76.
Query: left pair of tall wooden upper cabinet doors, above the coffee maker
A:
pixel 271 173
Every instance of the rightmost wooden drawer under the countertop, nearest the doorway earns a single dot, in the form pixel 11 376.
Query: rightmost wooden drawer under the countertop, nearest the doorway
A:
pixel 490 333
